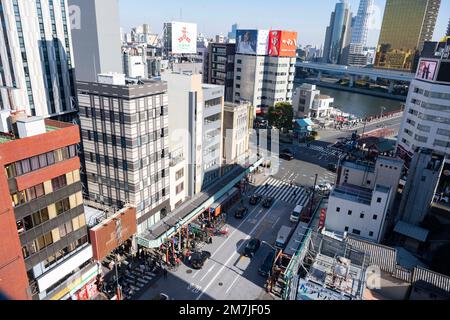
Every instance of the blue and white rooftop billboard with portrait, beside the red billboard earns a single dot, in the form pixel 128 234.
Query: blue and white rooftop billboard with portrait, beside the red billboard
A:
pixel 253 42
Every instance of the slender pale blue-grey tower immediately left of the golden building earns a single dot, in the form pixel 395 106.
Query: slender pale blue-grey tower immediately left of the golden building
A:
pixel 360 30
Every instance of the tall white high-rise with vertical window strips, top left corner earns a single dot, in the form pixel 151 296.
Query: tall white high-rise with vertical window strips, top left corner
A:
pixel 36 60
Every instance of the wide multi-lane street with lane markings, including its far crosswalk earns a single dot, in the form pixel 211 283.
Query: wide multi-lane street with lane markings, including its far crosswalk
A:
pixel 228 275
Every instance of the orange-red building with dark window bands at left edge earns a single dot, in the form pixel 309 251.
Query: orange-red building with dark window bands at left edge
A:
pixel 43 231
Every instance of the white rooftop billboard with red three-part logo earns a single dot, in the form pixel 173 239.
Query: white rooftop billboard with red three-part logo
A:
pixel 184 38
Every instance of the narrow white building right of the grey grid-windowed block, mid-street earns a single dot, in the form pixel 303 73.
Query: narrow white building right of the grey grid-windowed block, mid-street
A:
pixel 196 131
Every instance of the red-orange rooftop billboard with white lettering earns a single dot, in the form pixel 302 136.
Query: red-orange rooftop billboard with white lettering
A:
pixel 282 43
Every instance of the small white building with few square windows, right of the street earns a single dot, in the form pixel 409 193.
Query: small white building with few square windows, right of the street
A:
pixel 359 211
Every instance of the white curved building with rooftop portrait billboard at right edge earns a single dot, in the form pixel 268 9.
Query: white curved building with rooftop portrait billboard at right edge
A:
pixel 426 122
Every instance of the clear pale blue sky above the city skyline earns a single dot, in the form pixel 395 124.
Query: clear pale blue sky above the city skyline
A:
pixel 308 18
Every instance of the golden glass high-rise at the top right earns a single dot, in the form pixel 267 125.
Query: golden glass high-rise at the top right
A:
pixel 407 24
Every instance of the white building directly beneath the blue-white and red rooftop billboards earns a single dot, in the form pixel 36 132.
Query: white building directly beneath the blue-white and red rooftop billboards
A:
pixel 263 80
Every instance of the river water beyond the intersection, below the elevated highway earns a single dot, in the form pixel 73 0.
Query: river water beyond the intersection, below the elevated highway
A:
pixel 359 104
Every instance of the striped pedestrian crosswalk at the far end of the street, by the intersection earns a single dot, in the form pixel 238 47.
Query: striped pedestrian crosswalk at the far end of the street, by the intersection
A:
pixel 283 191
